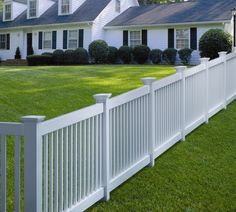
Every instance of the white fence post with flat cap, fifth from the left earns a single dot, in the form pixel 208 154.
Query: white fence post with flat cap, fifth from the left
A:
pixel 204 61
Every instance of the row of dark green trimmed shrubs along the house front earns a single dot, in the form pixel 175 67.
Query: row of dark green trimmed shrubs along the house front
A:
pixel 101 53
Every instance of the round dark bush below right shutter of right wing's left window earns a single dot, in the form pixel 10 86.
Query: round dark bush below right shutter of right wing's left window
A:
pixel 141 54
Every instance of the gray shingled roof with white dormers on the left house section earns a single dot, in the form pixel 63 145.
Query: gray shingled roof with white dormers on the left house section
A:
pixel 87 12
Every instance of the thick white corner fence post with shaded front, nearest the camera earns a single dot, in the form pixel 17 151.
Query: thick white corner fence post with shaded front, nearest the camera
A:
pixel 32 163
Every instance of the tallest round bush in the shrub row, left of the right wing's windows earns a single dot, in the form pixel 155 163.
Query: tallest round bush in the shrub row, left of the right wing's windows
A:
pixel 98 51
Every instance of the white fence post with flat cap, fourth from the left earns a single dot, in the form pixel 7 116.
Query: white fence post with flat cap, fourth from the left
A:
pixel 180 70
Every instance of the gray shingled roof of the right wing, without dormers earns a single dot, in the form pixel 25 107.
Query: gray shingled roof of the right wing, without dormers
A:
pixel 192 11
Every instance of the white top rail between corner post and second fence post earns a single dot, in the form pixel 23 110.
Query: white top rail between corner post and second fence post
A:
pixel 70 119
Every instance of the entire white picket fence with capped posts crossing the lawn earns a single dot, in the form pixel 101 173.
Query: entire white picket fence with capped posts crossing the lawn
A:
pixel 77 159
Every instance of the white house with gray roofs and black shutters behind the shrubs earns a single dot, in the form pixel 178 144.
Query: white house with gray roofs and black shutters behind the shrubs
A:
pixel 46 25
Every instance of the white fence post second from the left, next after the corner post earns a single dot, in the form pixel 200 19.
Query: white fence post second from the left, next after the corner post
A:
pixel 103 98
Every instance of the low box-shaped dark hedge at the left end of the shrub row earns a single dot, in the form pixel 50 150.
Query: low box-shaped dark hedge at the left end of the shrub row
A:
pixel 37 60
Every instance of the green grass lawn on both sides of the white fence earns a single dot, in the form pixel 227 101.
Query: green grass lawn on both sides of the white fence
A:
pixel 196 175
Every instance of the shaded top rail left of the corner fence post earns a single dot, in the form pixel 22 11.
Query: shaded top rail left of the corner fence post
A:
pixel 11 128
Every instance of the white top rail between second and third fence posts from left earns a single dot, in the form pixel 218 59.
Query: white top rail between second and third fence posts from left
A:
pixel 128 97
